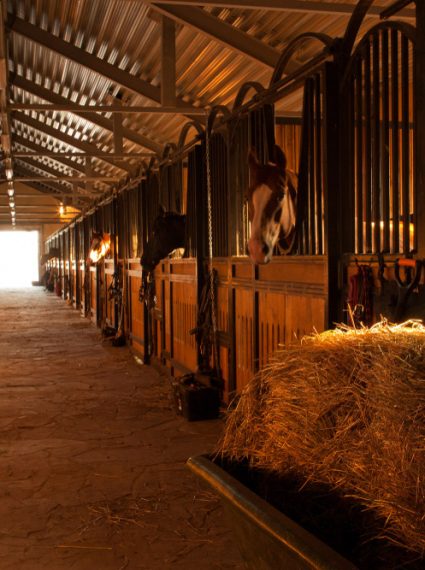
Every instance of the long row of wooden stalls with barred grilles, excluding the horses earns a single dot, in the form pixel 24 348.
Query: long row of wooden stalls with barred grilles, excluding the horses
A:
pixel 351 252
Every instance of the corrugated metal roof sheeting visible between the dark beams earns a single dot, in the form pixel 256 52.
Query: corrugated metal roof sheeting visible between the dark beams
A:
pixel 127 34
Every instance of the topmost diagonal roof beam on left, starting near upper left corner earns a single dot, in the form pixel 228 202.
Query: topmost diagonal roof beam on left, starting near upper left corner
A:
pixel 86 59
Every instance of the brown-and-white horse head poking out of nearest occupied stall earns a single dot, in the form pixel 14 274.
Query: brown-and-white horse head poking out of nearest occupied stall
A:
pixel 271 204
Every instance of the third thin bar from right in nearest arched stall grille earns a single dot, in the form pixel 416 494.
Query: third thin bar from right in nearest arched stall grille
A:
pixel 385 144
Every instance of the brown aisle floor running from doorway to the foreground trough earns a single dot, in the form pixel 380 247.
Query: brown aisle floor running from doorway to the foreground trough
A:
pixel 92 455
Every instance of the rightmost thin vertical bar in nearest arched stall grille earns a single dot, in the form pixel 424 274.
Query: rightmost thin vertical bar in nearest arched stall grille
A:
pixel 405 176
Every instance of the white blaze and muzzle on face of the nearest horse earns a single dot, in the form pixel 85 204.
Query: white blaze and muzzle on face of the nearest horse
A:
pixel 262 235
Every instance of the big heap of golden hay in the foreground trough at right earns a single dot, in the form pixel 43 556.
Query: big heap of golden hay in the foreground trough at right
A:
pixel 346 408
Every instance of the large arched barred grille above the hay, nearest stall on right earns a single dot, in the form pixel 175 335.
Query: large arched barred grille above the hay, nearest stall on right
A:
pixel 379 95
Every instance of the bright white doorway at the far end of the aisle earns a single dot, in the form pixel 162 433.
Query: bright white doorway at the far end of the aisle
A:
pixel 20 252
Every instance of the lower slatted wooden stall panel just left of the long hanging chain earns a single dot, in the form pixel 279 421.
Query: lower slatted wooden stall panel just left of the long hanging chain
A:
pixel 184 319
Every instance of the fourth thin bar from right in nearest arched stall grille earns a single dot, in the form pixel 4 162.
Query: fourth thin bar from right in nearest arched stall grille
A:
pixel 376 142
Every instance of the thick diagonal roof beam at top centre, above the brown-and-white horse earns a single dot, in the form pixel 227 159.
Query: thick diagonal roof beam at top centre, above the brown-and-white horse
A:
pixel 202 21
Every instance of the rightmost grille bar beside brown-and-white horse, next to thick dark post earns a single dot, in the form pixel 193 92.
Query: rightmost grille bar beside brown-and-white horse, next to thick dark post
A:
pixel 318 187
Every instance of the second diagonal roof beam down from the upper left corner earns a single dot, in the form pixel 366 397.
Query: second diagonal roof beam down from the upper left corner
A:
pixel 103 122
